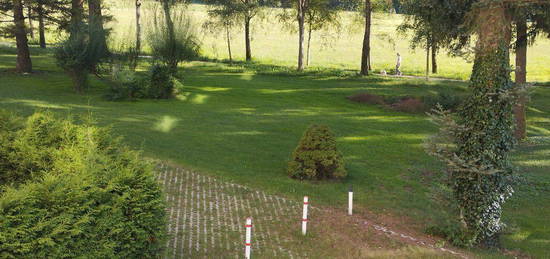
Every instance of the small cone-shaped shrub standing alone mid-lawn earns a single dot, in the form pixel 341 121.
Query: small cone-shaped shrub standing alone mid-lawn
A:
pixel 316 156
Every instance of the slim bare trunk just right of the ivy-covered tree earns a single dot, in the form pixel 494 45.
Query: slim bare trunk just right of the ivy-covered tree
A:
pixel 521 78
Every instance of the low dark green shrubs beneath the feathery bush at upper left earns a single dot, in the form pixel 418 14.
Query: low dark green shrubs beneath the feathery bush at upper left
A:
pixel 157 83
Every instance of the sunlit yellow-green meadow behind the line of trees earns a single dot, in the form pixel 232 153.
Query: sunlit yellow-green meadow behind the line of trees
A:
pixel 273 43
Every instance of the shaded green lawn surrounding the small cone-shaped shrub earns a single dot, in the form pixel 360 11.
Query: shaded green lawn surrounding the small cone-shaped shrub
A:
pixel 241 126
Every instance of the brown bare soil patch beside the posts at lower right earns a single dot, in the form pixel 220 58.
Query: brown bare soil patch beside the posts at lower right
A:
pixel 366 235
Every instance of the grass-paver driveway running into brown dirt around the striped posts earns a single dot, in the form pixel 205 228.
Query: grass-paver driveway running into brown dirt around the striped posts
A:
pixel 207 216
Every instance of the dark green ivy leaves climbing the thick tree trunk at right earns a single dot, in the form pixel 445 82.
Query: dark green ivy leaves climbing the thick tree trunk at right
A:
pixel 476 145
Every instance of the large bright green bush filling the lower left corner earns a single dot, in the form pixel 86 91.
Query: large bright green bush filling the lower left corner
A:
pixel 70 191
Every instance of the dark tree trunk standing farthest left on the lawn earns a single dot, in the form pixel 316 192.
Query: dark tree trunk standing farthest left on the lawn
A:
pixel 24 64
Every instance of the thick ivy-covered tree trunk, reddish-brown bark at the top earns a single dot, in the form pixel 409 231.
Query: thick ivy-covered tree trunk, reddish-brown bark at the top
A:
pixel 482 181
